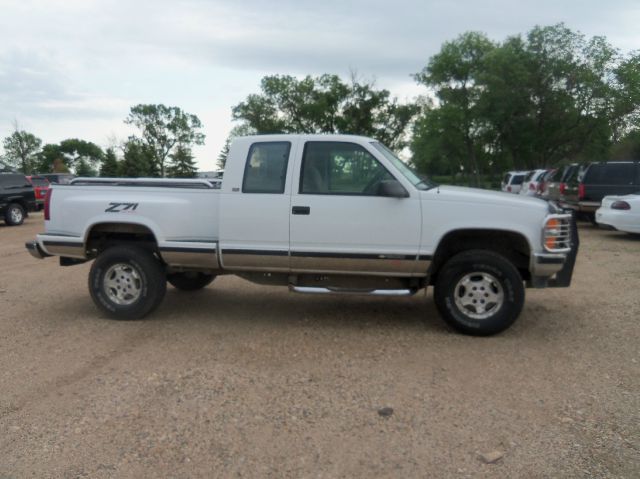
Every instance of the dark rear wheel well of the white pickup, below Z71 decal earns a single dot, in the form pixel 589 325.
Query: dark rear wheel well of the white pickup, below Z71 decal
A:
pixel 105 235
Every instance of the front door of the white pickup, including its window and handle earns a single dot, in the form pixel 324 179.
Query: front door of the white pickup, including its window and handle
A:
pixel 339 223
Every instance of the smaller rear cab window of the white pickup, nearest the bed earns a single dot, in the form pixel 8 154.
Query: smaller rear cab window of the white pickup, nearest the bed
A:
pixel 266 168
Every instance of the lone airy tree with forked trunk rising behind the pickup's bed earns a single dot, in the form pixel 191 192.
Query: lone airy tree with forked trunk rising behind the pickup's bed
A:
pixel 163 128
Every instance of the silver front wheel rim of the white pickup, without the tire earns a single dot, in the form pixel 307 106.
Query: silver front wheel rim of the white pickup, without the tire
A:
pixel 479 295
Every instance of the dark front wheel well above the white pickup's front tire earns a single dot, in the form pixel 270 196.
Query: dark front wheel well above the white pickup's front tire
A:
pixel 513 246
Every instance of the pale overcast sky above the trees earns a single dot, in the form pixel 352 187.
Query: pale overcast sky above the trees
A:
pixel 72 68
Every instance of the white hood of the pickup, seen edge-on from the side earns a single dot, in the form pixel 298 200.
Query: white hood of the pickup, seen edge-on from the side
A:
pixel 476 195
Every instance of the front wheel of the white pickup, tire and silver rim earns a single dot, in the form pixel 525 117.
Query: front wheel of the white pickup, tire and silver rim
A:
pixel 490 285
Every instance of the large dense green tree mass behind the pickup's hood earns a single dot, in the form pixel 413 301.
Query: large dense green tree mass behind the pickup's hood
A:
pixel 531 101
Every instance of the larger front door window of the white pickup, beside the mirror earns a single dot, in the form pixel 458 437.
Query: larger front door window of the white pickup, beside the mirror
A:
pixel 336 168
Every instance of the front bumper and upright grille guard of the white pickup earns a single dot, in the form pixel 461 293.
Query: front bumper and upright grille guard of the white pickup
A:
pixel 555 270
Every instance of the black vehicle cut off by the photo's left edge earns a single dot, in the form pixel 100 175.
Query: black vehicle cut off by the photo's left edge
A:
pixel 16 198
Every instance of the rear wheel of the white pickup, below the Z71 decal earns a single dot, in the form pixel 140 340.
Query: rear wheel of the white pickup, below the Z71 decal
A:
pixel 137 271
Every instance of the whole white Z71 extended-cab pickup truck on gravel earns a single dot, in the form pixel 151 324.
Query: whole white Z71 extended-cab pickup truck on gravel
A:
pixel 316 213
